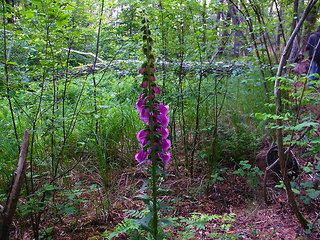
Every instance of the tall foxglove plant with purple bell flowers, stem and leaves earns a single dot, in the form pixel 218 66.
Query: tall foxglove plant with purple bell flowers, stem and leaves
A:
pixel 153 138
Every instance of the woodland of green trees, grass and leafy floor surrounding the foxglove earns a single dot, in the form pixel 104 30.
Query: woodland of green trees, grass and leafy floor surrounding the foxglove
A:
pixel 69 73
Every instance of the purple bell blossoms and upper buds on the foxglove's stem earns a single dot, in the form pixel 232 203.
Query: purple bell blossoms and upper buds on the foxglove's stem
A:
pixel 154 114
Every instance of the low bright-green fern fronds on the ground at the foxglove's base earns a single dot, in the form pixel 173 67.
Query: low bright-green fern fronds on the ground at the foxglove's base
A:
pixel 178 227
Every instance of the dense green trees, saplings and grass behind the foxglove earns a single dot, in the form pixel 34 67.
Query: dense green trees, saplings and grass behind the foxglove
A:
pixel 70 75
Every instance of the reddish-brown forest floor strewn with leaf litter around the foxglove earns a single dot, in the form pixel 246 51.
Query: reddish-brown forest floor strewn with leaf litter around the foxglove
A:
pixel 251 217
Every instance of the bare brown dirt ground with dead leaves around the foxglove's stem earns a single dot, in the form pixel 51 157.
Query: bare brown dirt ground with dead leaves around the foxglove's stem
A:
pixel 253 219
